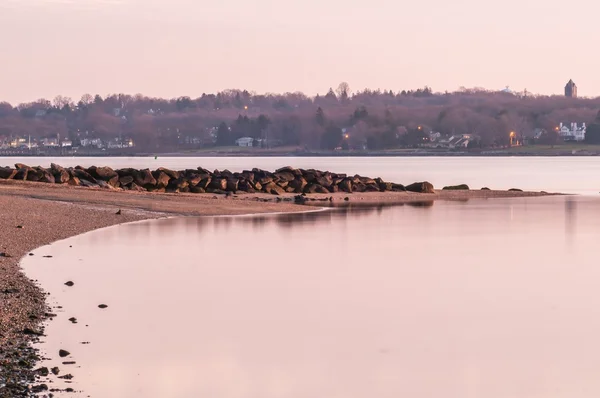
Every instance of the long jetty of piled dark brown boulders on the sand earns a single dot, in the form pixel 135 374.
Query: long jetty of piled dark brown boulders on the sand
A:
pixel 282 181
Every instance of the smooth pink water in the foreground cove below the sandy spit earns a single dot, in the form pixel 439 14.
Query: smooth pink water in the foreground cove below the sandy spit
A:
pixel 493 299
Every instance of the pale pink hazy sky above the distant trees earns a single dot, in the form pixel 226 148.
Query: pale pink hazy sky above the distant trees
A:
pixel 170 48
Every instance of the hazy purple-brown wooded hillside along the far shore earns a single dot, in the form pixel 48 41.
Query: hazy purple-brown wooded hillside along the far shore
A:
pixel 370 119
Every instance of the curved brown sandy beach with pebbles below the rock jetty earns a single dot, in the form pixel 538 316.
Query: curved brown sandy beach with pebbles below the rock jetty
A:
pixel 32 211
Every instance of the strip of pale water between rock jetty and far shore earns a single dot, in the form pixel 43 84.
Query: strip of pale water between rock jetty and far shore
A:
pixel 557 174
